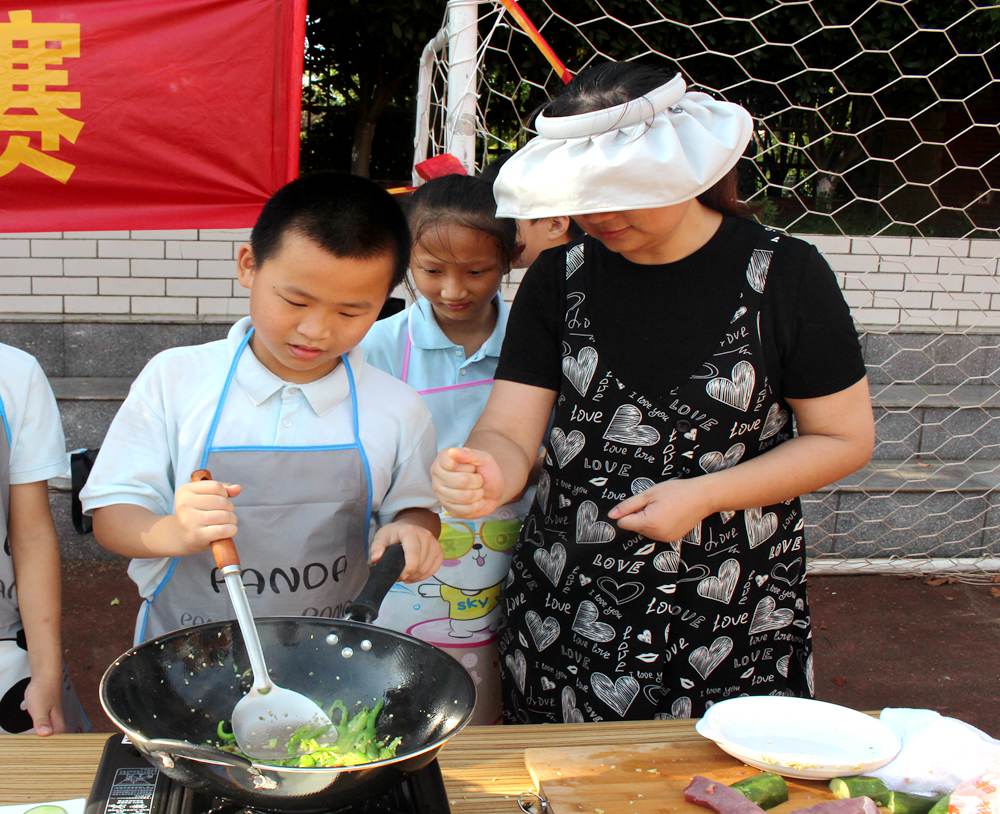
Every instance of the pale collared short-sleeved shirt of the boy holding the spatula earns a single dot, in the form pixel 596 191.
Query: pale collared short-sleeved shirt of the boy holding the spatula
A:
pixel 157 437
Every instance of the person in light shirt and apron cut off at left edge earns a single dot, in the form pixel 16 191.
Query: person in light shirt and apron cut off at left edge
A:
pixel 35 694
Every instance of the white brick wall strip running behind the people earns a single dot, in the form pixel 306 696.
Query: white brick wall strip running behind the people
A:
pixel 888 281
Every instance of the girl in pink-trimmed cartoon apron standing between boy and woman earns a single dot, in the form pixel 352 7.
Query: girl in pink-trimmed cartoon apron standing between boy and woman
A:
pixel 446 345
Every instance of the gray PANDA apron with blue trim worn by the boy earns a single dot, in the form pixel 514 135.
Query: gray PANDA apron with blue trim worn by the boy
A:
pixel 304 528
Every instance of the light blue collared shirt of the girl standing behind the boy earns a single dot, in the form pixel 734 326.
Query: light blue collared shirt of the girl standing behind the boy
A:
pixel 436 361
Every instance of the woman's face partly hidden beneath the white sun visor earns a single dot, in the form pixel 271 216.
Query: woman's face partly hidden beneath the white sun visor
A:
pixel 639 235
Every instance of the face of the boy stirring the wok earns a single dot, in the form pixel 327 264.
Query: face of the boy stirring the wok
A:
pixel 309 306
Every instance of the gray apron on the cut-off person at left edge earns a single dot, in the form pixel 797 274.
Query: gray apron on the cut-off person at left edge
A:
pixel 15 669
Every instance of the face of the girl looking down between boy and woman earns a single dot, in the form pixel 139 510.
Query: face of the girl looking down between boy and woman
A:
pixel 458 270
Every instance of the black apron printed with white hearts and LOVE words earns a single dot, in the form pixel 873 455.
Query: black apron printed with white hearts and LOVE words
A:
pixel 605 624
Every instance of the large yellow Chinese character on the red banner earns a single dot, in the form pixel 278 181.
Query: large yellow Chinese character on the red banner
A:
pixel 27 104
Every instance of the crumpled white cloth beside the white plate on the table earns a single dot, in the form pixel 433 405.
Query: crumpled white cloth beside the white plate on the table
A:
pixel 938 752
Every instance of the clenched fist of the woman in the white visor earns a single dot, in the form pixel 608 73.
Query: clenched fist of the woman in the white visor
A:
pixel 468 482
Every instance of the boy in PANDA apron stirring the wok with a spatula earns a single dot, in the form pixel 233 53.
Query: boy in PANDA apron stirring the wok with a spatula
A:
pixel 307 444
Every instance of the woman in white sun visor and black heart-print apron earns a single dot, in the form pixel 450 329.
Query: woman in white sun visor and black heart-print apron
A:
pixel 662 566
